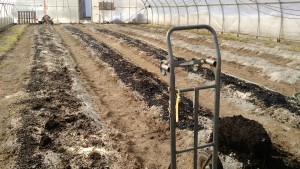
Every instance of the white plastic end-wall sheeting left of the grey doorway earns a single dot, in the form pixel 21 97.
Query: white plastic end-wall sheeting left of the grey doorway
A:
pixel 62 11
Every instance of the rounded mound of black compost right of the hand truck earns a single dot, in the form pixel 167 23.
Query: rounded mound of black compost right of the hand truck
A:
pixel 248 138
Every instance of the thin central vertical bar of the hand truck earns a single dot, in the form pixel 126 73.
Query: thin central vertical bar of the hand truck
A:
pixel 196 107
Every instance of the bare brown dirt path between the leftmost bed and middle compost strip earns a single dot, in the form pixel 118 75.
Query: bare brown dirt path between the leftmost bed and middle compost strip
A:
pixel 142 126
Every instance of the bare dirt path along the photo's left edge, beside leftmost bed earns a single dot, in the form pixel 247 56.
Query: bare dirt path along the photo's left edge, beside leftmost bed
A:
pixel 14 73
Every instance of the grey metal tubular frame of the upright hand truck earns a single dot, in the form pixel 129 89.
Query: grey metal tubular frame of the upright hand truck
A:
pixel 172 97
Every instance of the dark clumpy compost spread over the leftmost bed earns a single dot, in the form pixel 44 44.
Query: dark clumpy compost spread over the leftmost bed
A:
pixel 51 109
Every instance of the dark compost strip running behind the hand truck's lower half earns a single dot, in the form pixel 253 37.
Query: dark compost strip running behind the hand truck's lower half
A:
pixel 146 84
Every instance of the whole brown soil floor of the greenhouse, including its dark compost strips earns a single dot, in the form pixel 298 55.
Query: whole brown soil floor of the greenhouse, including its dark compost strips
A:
pixel 78 96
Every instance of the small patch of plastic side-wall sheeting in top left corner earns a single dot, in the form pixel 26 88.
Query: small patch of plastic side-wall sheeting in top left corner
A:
pixel 6 15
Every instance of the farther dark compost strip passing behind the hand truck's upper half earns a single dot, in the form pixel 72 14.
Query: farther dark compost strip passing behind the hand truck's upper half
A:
pixel 267 97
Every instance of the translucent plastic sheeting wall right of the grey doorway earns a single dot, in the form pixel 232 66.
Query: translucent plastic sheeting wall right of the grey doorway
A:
pixel 261 18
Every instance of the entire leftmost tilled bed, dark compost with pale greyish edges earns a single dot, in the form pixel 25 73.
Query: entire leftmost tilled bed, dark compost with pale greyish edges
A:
pixel 60 127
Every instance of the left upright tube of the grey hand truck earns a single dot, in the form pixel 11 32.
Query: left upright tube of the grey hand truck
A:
pixel 172 103
